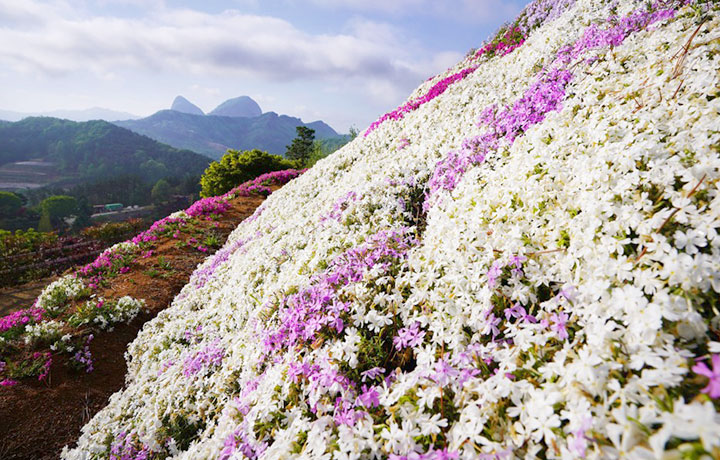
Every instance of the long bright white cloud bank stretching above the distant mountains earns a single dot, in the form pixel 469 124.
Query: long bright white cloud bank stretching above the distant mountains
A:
pixel 179 40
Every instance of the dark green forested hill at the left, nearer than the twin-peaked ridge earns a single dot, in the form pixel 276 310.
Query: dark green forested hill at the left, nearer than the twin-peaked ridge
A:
pixel 94 149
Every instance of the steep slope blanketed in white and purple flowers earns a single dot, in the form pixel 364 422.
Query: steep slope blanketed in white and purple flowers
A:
pixel 521 261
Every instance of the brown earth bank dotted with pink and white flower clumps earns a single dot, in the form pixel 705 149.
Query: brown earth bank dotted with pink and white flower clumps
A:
pixel 64 352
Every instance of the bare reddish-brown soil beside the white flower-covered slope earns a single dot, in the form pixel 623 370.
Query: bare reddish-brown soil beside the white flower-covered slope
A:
pixel 38 418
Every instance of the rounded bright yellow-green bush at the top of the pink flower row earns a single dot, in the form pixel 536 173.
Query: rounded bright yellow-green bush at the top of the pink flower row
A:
pixel 237 167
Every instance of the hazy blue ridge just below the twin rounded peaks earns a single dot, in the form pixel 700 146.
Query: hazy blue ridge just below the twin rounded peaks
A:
pixel 212 135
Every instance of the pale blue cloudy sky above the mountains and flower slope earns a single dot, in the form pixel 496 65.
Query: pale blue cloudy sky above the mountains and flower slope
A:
pixel 345 62
